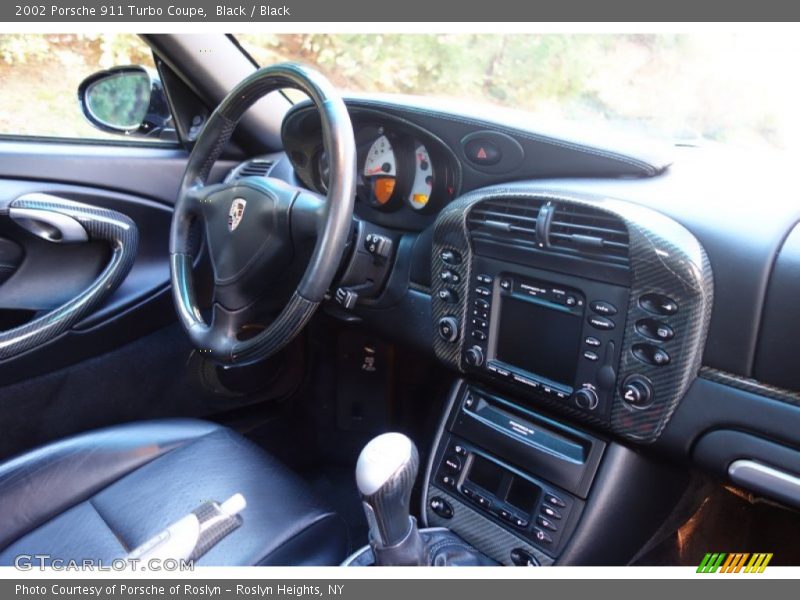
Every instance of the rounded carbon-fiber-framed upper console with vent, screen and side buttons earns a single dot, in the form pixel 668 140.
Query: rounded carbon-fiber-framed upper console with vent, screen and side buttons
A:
pixel 594 308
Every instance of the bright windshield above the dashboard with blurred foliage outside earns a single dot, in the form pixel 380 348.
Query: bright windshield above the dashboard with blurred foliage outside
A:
pixel 735 89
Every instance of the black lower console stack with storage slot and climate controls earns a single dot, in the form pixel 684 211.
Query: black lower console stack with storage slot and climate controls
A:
pixel 520 471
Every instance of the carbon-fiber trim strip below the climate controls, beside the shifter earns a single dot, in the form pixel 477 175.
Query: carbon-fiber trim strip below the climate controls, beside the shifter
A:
pixel 486 536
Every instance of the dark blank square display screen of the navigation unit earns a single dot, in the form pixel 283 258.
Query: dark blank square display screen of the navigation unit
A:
pixel 539 339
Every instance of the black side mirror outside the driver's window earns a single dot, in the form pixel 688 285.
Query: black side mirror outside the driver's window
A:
pixel 127 100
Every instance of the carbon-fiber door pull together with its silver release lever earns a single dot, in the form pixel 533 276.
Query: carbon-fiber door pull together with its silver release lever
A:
pixel 59 220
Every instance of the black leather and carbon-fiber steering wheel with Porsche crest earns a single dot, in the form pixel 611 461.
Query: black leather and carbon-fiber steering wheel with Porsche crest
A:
pixel 252 226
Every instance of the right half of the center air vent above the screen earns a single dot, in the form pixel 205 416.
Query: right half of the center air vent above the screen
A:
pixel 587 232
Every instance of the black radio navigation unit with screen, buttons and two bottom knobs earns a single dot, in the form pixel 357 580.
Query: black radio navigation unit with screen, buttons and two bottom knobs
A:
pixel 552 336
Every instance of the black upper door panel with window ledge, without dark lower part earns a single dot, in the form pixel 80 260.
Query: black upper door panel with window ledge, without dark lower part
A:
pixel 138 181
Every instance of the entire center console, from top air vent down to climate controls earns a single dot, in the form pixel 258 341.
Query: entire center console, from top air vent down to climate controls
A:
pixel 553 305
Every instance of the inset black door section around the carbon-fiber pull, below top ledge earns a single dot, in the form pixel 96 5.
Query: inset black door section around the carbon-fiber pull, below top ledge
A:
pixel 50 274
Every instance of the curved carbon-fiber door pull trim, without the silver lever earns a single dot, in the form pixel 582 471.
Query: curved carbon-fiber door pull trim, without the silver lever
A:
pixel 100 224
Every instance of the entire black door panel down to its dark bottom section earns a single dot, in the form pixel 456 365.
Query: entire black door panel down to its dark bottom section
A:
pixel 129 359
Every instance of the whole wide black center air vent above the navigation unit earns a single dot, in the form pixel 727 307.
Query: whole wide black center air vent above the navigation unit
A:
pixel 556 227
